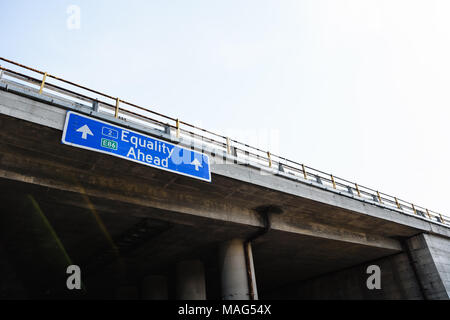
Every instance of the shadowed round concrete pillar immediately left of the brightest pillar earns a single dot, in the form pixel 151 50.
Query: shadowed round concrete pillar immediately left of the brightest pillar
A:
pixel 190 280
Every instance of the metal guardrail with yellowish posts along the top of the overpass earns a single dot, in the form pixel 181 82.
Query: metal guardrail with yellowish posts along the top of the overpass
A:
pixel 240 152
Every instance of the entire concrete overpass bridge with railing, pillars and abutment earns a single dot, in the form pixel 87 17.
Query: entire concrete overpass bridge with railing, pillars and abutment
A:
pixel 264 227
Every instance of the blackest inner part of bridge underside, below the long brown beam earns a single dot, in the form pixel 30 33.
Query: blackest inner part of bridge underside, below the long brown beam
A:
pixel 115 243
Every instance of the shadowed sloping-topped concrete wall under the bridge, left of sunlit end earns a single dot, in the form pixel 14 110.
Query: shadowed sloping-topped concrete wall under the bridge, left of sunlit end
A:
pixel 398 281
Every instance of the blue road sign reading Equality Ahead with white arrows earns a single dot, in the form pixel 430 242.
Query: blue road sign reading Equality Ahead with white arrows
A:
pixel 96 135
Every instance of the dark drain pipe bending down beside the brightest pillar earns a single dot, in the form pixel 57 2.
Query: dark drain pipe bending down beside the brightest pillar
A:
pixel 265 212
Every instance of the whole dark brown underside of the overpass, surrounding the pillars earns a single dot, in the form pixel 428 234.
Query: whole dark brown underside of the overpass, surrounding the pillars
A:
pixel 120 221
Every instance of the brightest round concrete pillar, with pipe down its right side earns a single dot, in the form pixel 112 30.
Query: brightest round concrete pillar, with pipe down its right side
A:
pixel 233 271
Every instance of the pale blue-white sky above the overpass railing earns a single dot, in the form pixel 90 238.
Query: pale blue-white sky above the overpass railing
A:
pixel 359 89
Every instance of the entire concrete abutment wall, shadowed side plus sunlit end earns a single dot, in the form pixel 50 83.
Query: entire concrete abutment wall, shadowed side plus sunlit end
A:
pixel 423 275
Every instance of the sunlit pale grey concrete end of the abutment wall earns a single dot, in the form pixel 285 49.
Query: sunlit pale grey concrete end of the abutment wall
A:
pixel 431 257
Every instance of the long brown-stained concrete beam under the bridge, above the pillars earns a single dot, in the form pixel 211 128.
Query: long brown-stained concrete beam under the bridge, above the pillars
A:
pixel 192 209
